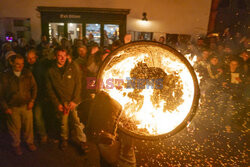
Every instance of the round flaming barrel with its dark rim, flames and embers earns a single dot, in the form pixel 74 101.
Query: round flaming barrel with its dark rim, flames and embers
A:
pixel 155 85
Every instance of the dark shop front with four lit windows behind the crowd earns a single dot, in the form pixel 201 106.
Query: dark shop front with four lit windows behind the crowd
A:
pixel 101 25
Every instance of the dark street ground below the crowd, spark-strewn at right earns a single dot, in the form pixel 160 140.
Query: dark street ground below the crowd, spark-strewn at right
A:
pixel 217 136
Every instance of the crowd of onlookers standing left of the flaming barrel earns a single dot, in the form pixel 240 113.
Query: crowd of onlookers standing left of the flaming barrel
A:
pixel 44 86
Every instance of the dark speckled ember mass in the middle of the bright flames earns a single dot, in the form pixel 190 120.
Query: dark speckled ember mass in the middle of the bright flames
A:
pixel 169 90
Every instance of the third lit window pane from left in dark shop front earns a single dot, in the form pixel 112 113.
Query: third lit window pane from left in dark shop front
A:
pixel 93 32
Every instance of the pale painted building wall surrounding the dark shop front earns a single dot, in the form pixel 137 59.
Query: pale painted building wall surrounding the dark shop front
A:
pixel 165 16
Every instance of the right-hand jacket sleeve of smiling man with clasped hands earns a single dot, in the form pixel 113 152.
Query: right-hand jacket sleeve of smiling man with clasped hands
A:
pixel 78 84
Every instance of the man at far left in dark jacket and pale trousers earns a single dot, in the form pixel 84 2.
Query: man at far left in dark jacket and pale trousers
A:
pixel 17 96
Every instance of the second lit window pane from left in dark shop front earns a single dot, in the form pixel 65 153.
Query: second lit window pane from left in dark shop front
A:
pixel 74 31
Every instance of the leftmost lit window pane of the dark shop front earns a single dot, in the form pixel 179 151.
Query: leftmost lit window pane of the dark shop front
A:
pixel 56 30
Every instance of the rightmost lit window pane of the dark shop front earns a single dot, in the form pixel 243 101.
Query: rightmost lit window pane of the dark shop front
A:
pixel 111 33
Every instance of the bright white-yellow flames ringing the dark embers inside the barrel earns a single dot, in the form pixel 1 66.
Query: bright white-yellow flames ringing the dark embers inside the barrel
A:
pixel 144 117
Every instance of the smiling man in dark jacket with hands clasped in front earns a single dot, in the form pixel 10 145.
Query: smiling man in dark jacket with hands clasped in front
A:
pixel 64 88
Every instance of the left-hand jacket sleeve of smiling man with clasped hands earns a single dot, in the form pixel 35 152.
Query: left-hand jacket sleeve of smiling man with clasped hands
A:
pixel 50 89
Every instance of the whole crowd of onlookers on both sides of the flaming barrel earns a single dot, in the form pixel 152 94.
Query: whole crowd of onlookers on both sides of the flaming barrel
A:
pixel 33 76
